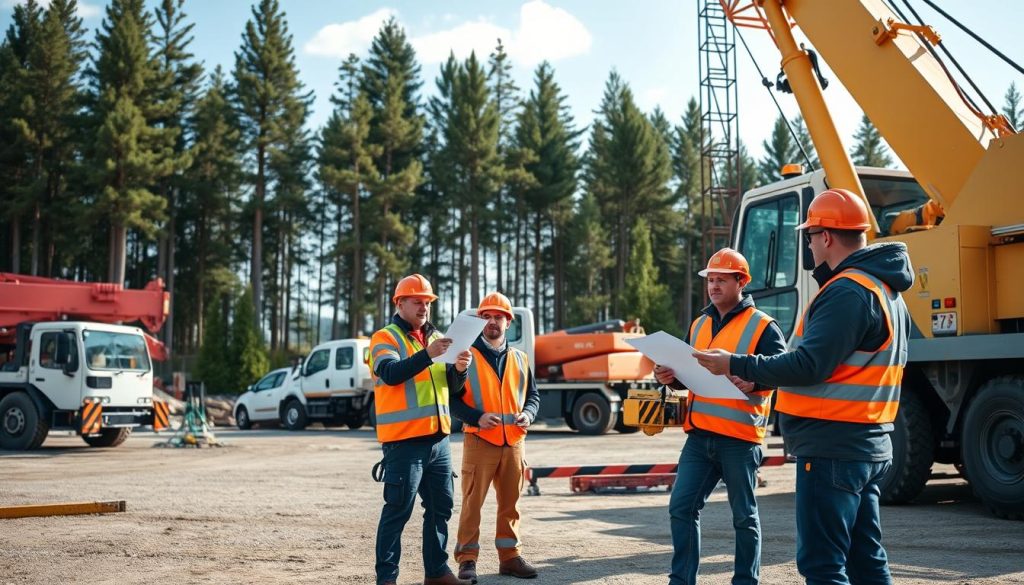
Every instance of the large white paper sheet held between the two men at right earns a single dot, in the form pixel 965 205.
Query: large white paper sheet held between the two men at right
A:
pixel 666 350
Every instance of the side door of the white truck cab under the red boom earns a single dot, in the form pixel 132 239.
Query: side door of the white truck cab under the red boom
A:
pixel 54 368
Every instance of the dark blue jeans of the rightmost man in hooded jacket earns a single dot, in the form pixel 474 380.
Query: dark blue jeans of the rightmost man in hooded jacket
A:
pixel 839 530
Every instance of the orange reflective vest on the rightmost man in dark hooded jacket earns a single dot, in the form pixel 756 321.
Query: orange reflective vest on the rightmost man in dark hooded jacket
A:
pixel 866 387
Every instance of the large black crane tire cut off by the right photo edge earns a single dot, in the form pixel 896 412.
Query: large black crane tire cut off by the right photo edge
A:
pixel 994 446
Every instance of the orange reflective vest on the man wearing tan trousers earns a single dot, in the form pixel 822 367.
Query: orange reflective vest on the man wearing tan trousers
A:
pixel 506 397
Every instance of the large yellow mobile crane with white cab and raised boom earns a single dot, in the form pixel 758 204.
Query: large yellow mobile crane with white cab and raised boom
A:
pixel 960 211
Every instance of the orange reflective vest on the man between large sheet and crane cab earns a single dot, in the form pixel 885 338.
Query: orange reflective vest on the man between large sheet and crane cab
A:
pixel 743 420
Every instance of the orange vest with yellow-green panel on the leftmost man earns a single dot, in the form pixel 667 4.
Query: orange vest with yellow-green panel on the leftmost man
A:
pixel 418 407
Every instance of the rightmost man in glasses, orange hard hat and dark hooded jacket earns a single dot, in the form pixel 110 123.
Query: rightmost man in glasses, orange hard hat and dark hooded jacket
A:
pixel 839 390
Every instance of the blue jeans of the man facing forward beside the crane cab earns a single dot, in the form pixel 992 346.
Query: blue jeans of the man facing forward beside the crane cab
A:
pixel 705 461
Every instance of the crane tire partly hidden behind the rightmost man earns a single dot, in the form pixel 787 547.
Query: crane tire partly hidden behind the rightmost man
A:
pixel 914 451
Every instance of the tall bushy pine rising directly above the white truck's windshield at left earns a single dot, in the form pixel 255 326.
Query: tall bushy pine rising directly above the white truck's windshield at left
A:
pixel 129 154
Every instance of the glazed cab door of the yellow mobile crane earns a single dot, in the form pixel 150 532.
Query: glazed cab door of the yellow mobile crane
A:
pixel 774 248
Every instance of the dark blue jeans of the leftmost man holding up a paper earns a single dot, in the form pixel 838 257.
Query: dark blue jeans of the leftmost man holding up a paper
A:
pixel 415 468
